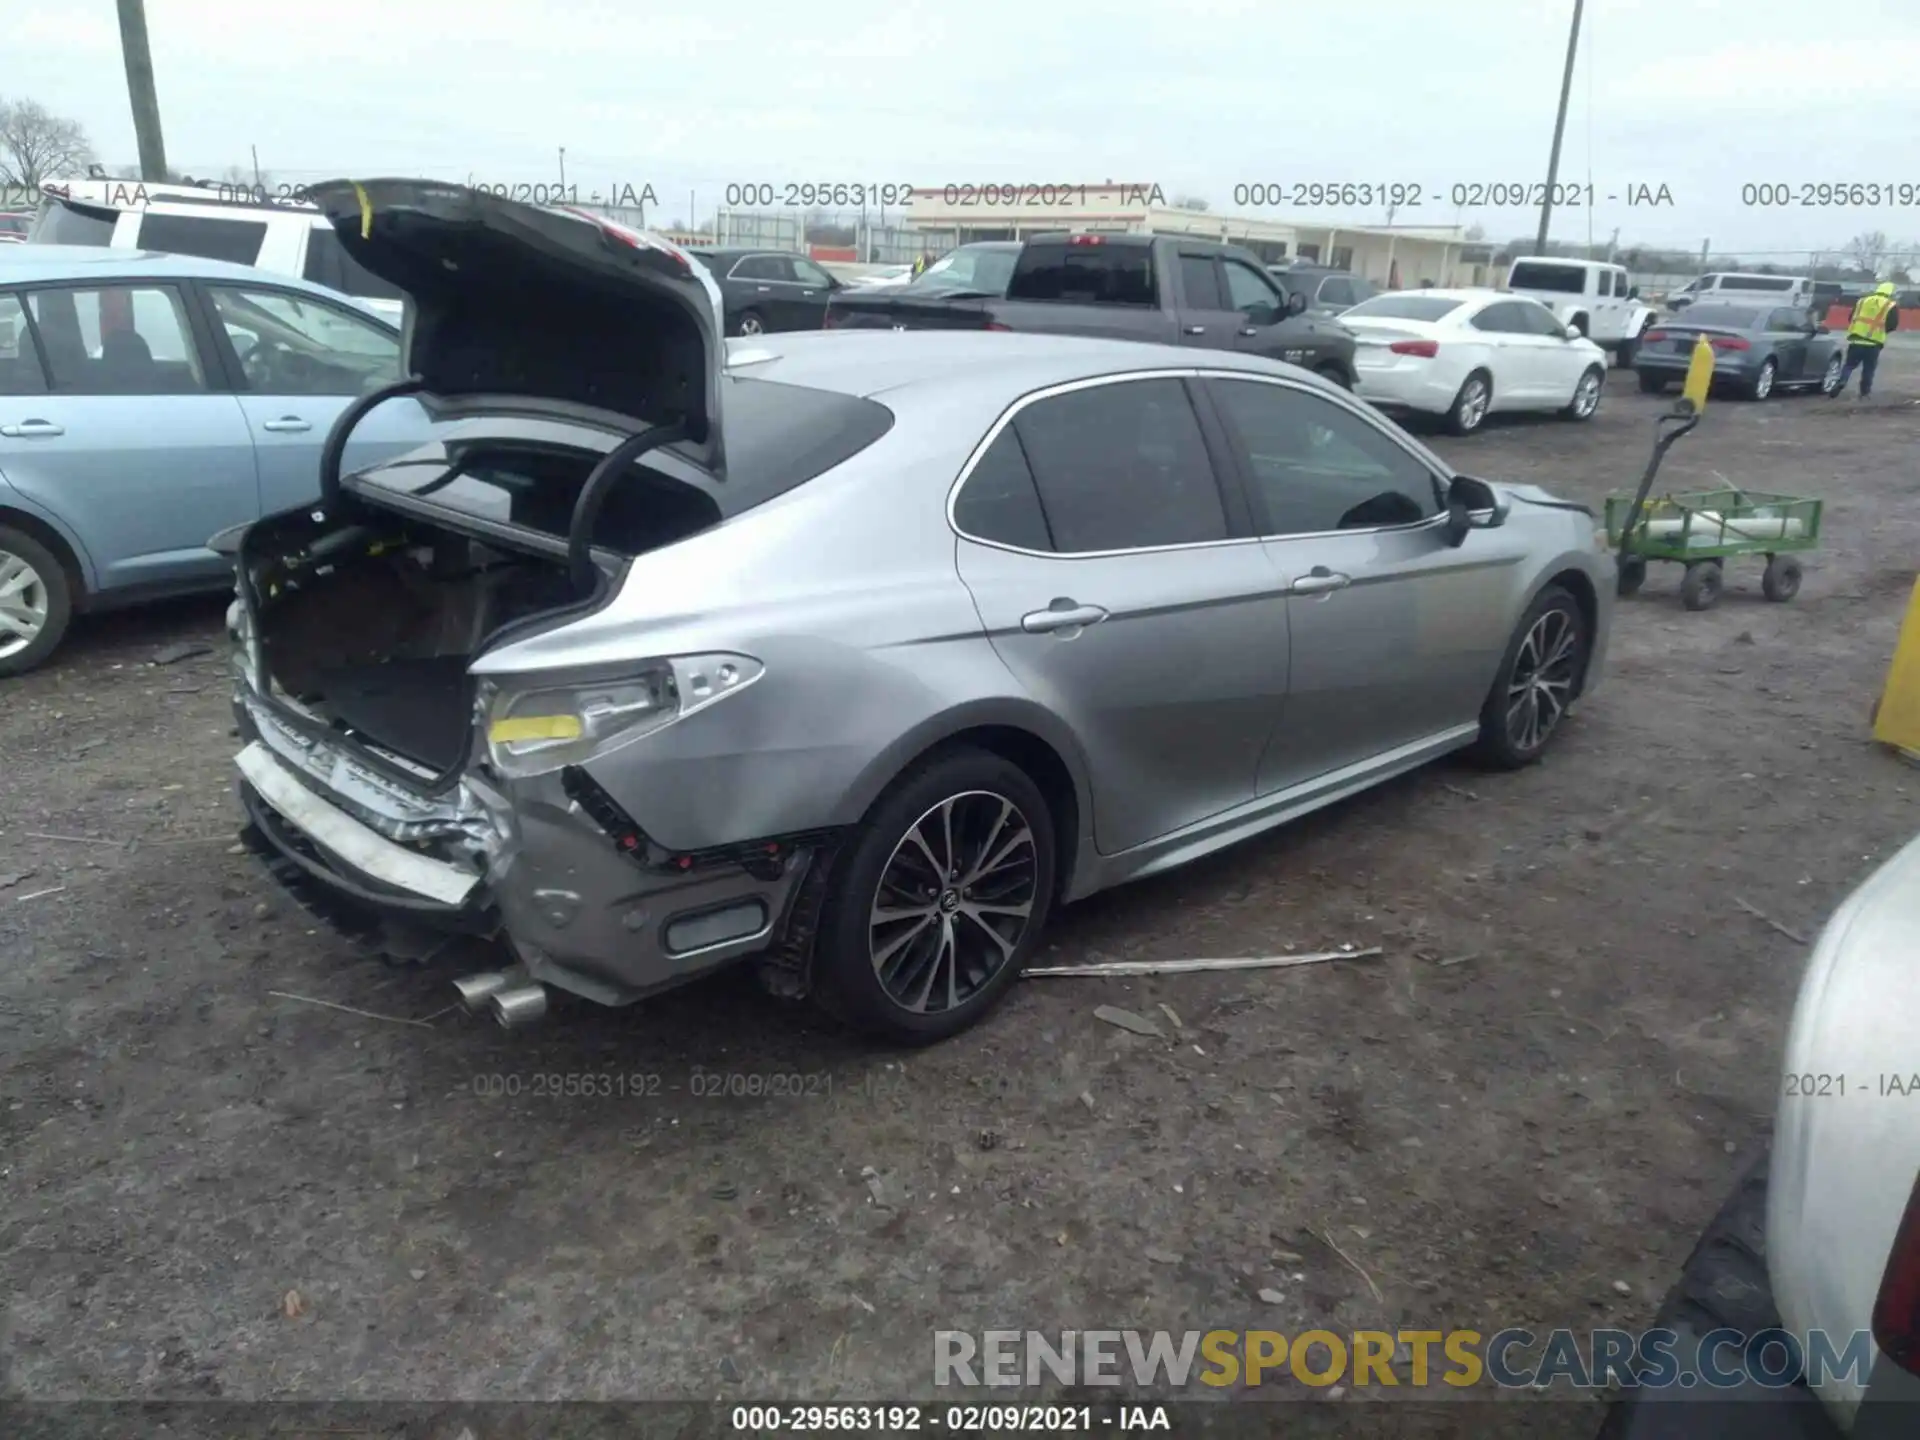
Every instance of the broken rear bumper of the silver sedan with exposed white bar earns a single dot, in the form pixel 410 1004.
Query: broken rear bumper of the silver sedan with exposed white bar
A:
pixel 546 876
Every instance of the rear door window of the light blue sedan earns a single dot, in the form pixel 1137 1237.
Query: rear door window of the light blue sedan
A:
pixel 118 341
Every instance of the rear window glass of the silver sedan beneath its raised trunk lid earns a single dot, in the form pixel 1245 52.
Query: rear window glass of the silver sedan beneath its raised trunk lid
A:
pixel 779 439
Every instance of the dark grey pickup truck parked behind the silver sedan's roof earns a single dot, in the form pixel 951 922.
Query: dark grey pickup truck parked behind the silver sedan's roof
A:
pixel 1128 287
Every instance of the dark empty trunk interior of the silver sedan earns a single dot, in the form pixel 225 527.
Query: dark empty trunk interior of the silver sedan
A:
pixel 377 640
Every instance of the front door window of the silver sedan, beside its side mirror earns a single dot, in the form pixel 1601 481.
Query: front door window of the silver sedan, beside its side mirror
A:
pixel 1316 468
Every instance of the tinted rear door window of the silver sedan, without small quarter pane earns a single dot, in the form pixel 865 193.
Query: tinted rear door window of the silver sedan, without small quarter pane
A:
pixel 1122 468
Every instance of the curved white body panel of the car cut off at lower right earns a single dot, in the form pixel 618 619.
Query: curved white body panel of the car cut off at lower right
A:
pixel 1846 1159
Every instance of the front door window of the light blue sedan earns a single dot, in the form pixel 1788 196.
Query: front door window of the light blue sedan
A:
pixel 300 347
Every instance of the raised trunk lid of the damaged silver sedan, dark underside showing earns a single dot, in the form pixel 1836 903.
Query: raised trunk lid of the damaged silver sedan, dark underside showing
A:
pixel 514 304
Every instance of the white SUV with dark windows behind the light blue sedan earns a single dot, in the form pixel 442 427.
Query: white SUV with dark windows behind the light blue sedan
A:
pixel 181 220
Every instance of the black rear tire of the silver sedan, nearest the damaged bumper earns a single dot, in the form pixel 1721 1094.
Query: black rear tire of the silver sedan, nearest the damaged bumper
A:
pixel 848 980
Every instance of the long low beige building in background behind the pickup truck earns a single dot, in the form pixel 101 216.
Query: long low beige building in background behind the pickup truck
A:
pixel 1389 256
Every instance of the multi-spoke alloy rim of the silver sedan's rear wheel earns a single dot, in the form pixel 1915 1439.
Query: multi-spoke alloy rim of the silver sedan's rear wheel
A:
pixel 953 903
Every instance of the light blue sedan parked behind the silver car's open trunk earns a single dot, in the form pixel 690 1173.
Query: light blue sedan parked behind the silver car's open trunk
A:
pixel 147 404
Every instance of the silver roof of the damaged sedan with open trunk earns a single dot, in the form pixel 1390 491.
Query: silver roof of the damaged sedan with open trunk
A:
pixel 875 364
